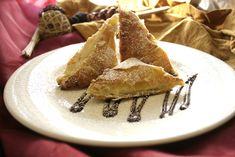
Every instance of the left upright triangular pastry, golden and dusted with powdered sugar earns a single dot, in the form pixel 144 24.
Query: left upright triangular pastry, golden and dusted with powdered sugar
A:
pixel 98 53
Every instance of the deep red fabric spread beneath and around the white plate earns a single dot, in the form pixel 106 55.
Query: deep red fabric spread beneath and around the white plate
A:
pixel 18 20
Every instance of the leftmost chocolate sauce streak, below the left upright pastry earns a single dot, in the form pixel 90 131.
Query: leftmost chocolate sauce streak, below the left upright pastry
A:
pixel 79 105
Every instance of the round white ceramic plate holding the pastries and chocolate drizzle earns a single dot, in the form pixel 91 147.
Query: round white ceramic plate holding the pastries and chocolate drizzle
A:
pixel 34 99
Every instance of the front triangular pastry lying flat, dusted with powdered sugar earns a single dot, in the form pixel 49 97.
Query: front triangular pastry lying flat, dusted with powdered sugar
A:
pixel 132 78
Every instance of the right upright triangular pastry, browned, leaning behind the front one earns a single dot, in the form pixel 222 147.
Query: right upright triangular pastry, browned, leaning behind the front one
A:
pixel 137 42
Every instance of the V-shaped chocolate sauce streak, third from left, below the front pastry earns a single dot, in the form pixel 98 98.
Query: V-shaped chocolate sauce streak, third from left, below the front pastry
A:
pixel 135 110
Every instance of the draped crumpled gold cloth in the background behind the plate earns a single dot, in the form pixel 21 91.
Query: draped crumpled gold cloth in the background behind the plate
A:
pixel 212 32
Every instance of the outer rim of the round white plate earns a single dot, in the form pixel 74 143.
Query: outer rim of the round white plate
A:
pixel 94 142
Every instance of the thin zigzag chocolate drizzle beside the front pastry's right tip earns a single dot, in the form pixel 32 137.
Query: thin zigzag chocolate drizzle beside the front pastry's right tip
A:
pixel 186 101
